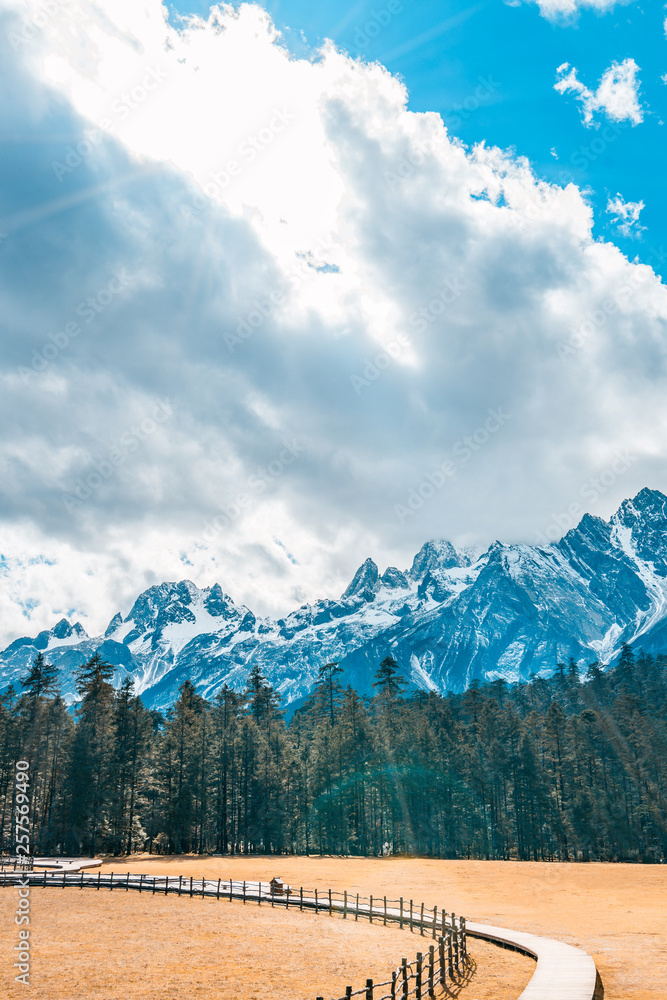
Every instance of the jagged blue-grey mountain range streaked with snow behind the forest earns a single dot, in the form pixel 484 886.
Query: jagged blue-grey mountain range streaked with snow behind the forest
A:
pixel 452 617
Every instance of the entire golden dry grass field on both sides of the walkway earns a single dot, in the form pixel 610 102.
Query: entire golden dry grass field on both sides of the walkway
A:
pixel 122 945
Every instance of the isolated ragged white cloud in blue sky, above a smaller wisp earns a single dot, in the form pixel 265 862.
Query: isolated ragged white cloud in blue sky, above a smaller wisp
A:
pixel 617 95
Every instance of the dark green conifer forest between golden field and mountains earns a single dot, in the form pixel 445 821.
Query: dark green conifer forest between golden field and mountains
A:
pixel 564 768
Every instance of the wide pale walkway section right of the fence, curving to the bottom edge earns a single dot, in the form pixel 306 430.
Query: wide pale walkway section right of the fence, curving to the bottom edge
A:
pixel 562 973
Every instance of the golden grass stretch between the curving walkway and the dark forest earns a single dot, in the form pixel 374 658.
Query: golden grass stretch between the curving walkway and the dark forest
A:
pixel 616 912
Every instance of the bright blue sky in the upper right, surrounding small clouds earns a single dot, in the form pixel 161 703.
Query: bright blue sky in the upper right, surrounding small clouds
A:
pixel 443 50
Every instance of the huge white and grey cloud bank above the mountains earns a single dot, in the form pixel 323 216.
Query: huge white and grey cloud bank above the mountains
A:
pixel 328 324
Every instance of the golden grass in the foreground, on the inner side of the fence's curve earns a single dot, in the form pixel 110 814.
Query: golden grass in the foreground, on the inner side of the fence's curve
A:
pixel 125 946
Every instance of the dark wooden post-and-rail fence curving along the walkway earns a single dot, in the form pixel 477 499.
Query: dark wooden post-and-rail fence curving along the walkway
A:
pixel 418 979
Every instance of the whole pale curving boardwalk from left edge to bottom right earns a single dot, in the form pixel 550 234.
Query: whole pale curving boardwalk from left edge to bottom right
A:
pixel 562 973
